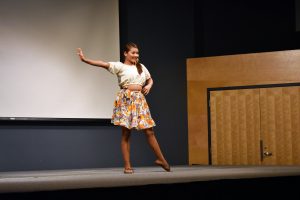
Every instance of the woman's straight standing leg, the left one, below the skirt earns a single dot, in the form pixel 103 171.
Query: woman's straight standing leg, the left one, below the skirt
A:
pixel 125 146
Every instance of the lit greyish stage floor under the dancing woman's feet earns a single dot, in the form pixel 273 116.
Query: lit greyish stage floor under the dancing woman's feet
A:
pixel 32 181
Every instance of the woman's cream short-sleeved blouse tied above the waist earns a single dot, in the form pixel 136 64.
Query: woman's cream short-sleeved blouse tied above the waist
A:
pixel 128 74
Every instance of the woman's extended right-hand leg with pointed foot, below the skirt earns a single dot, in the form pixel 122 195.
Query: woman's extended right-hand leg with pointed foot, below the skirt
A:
pixel 156 149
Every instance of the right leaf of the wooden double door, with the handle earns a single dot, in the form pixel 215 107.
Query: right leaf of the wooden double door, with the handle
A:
pixel 280 125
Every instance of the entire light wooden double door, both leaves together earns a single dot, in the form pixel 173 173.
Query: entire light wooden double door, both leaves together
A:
pixel 255 126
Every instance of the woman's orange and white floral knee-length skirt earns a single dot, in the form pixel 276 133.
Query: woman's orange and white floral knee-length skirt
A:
pixel 131 110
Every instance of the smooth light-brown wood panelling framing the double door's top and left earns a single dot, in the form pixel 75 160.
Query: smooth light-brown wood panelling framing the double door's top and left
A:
pixel 233 70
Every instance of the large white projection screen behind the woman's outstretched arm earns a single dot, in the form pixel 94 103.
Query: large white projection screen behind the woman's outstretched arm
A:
pixel 41 75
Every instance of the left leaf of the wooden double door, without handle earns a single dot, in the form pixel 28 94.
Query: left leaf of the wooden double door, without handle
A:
pixel 235 127
